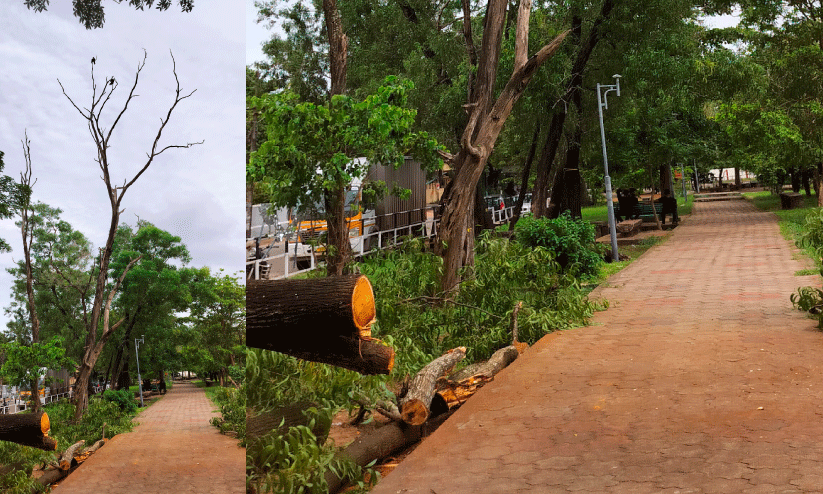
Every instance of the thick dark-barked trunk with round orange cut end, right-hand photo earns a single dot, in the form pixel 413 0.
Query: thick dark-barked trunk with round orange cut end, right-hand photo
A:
pixel 324 320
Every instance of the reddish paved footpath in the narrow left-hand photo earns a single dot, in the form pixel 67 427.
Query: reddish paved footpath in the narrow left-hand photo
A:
pixel 173 450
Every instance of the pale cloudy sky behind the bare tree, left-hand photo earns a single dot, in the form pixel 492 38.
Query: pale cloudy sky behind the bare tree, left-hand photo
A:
pixel 197 193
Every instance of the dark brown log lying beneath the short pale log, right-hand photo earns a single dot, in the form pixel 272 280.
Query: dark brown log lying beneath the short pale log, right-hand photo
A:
pixel 380 443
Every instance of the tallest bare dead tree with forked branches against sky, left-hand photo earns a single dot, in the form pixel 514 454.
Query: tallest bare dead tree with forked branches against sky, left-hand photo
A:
pixel 103 296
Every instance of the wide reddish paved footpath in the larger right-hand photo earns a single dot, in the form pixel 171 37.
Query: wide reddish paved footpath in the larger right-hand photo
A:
pixel 699 378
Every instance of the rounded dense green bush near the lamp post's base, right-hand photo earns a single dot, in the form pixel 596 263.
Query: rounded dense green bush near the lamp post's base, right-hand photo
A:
pixel 572 242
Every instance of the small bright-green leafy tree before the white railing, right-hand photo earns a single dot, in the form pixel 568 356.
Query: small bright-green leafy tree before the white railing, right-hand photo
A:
pixel 313 152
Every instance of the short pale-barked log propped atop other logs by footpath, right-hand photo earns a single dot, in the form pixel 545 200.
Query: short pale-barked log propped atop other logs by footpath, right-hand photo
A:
pixel 414 407
